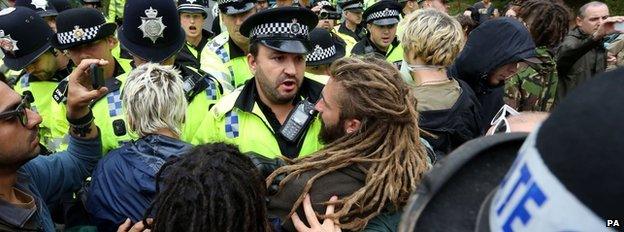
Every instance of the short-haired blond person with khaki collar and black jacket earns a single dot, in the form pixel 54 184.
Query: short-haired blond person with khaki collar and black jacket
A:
pixel 447 106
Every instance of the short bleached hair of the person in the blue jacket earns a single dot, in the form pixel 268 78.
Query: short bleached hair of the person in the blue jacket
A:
pixel 154 99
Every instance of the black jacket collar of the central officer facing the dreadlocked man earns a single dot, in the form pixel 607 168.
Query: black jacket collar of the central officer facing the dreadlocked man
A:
pixel 247 98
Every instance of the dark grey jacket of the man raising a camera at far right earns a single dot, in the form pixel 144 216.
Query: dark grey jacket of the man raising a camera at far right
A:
pixel 579 58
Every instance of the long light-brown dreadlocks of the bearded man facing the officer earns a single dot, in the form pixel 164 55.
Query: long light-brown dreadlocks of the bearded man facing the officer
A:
pixel 387 144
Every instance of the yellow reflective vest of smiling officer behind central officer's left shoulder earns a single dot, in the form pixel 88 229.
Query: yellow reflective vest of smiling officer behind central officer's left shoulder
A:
pixel 224 57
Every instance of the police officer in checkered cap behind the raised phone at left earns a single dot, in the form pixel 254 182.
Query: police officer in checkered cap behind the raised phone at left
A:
pixel 84 33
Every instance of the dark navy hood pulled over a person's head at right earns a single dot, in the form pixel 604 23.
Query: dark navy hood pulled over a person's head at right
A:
pixel 492 44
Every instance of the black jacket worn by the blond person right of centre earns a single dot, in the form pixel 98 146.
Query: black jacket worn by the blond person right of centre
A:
pixel 455 126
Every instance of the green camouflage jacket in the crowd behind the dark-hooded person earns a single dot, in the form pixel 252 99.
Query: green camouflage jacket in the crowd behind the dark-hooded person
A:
pixel 534 87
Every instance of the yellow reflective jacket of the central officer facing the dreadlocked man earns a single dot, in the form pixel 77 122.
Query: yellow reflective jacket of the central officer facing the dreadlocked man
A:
pixel 238 119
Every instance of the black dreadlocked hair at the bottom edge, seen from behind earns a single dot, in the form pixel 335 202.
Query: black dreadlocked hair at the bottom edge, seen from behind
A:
pixel 212 188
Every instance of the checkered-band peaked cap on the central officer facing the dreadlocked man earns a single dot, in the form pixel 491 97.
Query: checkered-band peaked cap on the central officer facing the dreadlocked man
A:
pixel 284 29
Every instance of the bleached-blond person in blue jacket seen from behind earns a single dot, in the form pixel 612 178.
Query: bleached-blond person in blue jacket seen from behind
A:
pixel 124 181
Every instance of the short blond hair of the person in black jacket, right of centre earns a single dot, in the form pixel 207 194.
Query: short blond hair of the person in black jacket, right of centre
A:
pixel 433 36
